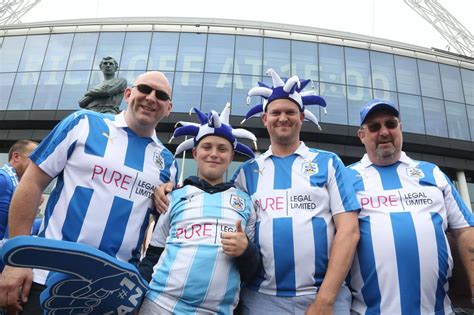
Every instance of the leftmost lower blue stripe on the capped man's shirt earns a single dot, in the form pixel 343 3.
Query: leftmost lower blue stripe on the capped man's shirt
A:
pixel 365 254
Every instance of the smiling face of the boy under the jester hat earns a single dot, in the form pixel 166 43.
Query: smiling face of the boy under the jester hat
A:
pixel 213 155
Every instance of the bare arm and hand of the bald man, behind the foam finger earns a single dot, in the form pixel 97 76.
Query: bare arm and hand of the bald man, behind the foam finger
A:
pixel 23 209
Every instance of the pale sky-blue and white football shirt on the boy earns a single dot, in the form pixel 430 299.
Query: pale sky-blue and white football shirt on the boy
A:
pixel 193 275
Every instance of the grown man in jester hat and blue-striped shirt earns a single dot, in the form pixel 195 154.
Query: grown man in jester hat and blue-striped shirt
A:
pixel 307 228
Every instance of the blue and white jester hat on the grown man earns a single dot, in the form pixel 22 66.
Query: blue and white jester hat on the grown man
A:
pixel 289 89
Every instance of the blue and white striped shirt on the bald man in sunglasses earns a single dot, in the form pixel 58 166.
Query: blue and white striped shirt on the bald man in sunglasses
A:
pixel 106 175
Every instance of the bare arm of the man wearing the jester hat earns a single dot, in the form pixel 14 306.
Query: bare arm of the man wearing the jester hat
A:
pixel 340 260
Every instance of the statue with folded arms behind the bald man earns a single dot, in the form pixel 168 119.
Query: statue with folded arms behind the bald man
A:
pixel 107 95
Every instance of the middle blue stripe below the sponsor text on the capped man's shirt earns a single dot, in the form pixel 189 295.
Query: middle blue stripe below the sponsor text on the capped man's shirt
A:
pixel 408 262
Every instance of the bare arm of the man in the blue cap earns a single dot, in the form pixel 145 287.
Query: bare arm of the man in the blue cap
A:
pixel 465 243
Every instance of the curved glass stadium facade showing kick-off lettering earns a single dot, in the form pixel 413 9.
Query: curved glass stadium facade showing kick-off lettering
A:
pixel 53 71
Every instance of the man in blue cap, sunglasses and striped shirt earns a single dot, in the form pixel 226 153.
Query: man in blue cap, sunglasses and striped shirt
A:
pixel 403 259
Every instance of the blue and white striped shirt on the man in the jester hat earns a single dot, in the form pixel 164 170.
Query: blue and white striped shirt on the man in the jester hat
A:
pixel 295 198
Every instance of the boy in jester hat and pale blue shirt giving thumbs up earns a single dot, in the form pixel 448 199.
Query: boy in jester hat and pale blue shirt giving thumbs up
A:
pixel 203 244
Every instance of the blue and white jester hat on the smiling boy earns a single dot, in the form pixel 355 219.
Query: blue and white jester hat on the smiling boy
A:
pixel 213 124
